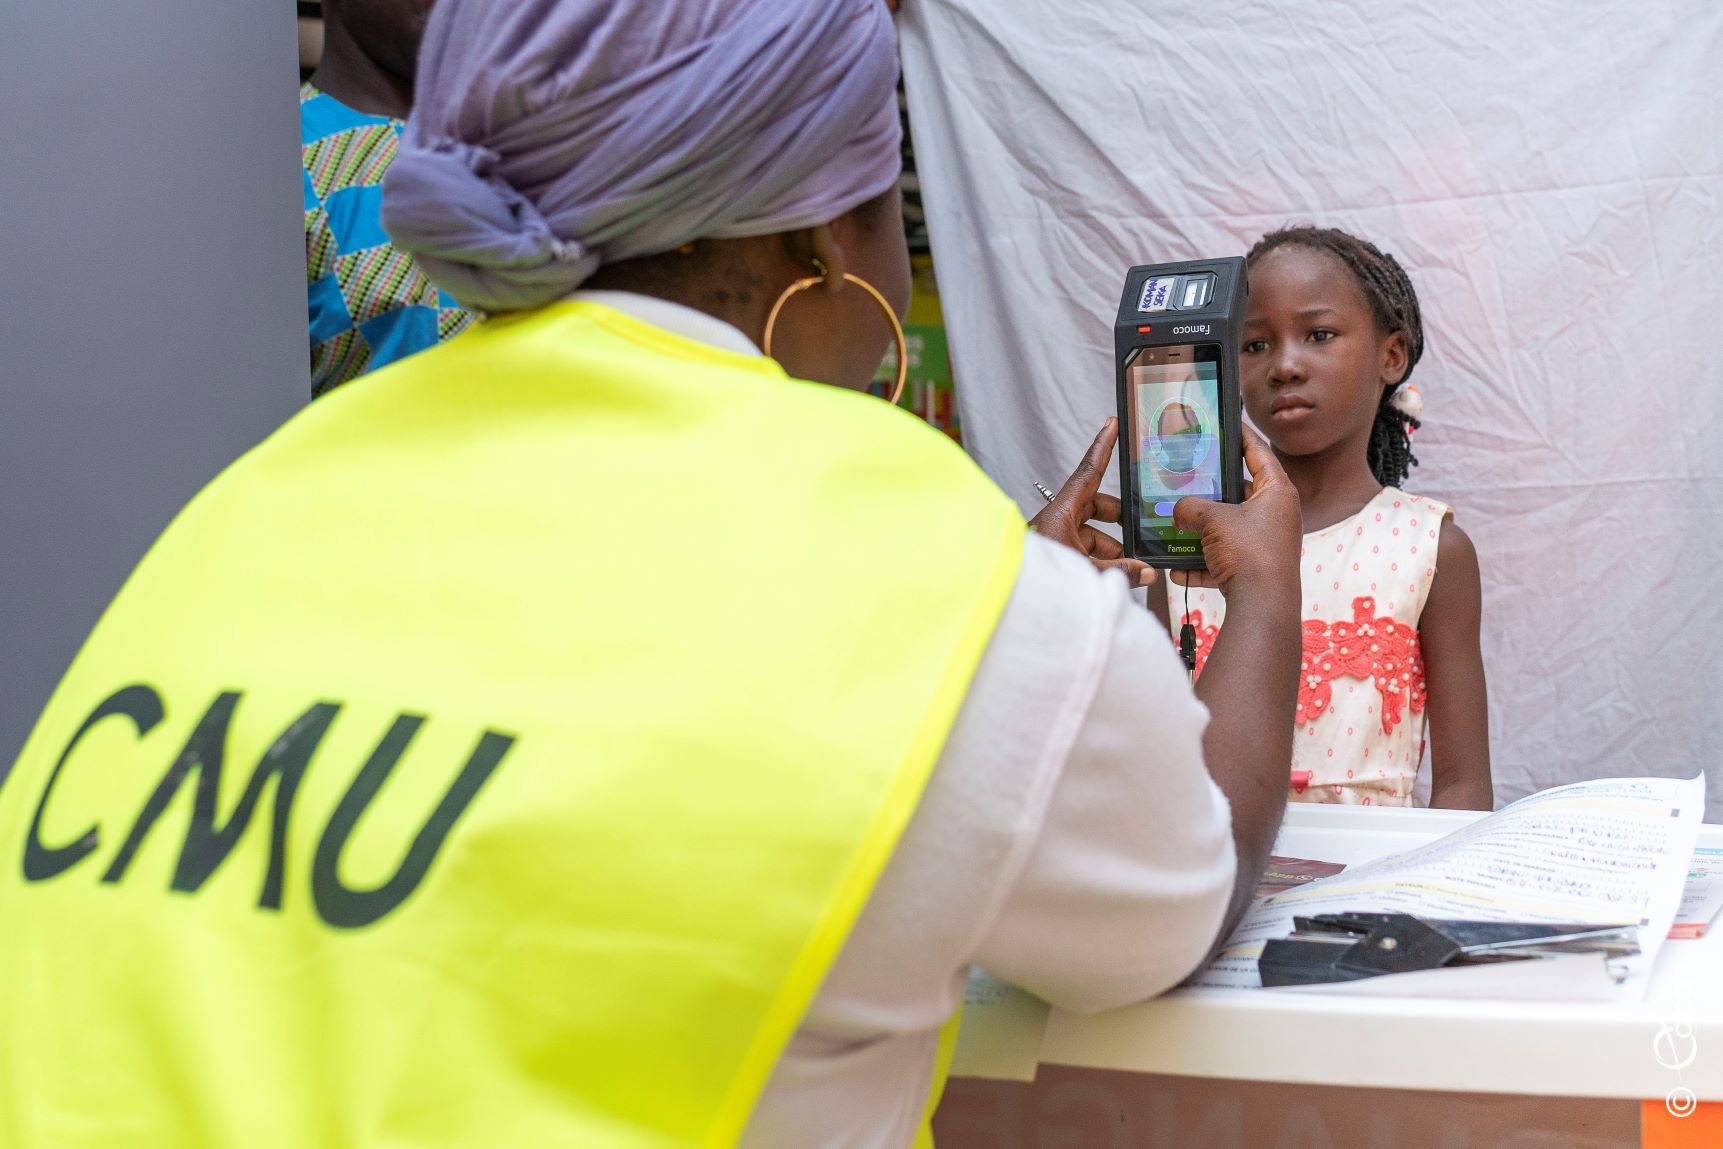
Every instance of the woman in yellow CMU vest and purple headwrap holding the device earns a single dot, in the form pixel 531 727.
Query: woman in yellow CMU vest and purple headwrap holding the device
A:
pixel 587 733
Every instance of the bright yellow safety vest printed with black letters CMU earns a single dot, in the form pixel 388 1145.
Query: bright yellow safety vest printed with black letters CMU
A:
pixel 499 755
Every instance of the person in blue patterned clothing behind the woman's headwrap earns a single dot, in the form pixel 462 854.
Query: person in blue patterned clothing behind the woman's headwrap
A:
pixel 368 304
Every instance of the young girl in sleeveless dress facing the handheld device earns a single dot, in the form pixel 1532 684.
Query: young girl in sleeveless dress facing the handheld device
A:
pixel 1391 585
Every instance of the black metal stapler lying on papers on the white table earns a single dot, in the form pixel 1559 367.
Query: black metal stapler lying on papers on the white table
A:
pixel 1350 947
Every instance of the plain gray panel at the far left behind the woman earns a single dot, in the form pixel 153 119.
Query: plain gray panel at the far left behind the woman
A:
pixel 152 309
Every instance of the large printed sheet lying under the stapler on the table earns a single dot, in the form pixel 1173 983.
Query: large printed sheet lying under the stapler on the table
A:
pixel 1610 854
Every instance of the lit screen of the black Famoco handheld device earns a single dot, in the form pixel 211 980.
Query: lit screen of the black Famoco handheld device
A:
pixel 1176 425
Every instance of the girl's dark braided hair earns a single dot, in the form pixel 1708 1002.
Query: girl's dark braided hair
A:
pixel 1395 306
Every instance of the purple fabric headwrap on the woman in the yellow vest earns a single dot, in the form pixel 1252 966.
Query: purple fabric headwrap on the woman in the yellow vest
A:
pixel 550 137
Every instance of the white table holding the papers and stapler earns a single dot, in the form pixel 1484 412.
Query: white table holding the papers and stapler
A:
pixel 1531 1050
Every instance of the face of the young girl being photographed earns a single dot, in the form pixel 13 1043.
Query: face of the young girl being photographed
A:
pixel 1314 361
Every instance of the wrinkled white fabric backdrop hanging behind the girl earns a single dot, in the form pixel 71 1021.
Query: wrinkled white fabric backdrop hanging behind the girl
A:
pixel 1550 171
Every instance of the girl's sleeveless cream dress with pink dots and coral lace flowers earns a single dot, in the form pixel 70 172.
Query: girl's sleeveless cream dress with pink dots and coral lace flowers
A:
pixel 1360 704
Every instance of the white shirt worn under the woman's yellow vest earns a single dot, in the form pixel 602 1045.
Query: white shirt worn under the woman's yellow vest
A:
pixel 1071 842
